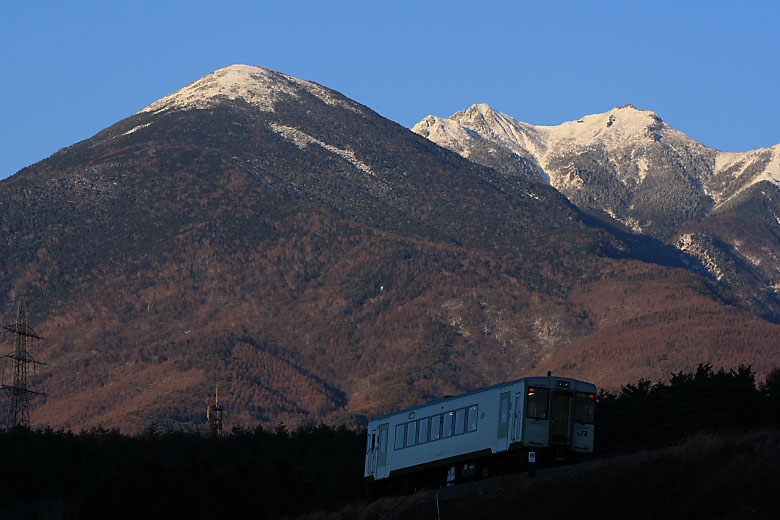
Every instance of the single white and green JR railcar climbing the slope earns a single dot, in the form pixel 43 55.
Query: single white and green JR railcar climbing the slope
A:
pixel 480 432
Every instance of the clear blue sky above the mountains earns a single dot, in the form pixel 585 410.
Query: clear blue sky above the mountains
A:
pixel 710 69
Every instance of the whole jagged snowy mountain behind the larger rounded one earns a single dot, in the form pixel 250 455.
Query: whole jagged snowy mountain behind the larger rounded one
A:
pixel 631 166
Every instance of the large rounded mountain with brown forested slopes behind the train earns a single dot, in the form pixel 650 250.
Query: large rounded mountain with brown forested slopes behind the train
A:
pixel 321 263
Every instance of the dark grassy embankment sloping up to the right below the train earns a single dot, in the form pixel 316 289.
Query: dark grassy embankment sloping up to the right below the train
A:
pixel 706 476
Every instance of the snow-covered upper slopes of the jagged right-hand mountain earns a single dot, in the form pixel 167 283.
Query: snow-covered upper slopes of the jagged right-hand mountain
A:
pixel 602 161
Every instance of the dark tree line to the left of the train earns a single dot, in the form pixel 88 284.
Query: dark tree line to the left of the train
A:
pixel 246 474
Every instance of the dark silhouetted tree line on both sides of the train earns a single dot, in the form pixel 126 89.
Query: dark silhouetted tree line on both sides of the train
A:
pixel 270 474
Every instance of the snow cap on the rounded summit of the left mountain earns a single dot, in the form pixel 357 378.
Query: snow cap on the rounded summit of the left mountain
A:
pixel 257 86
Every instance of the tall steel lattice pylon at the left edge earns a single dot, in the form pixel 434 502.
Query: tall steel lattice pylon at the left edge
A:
pixel 18 393
